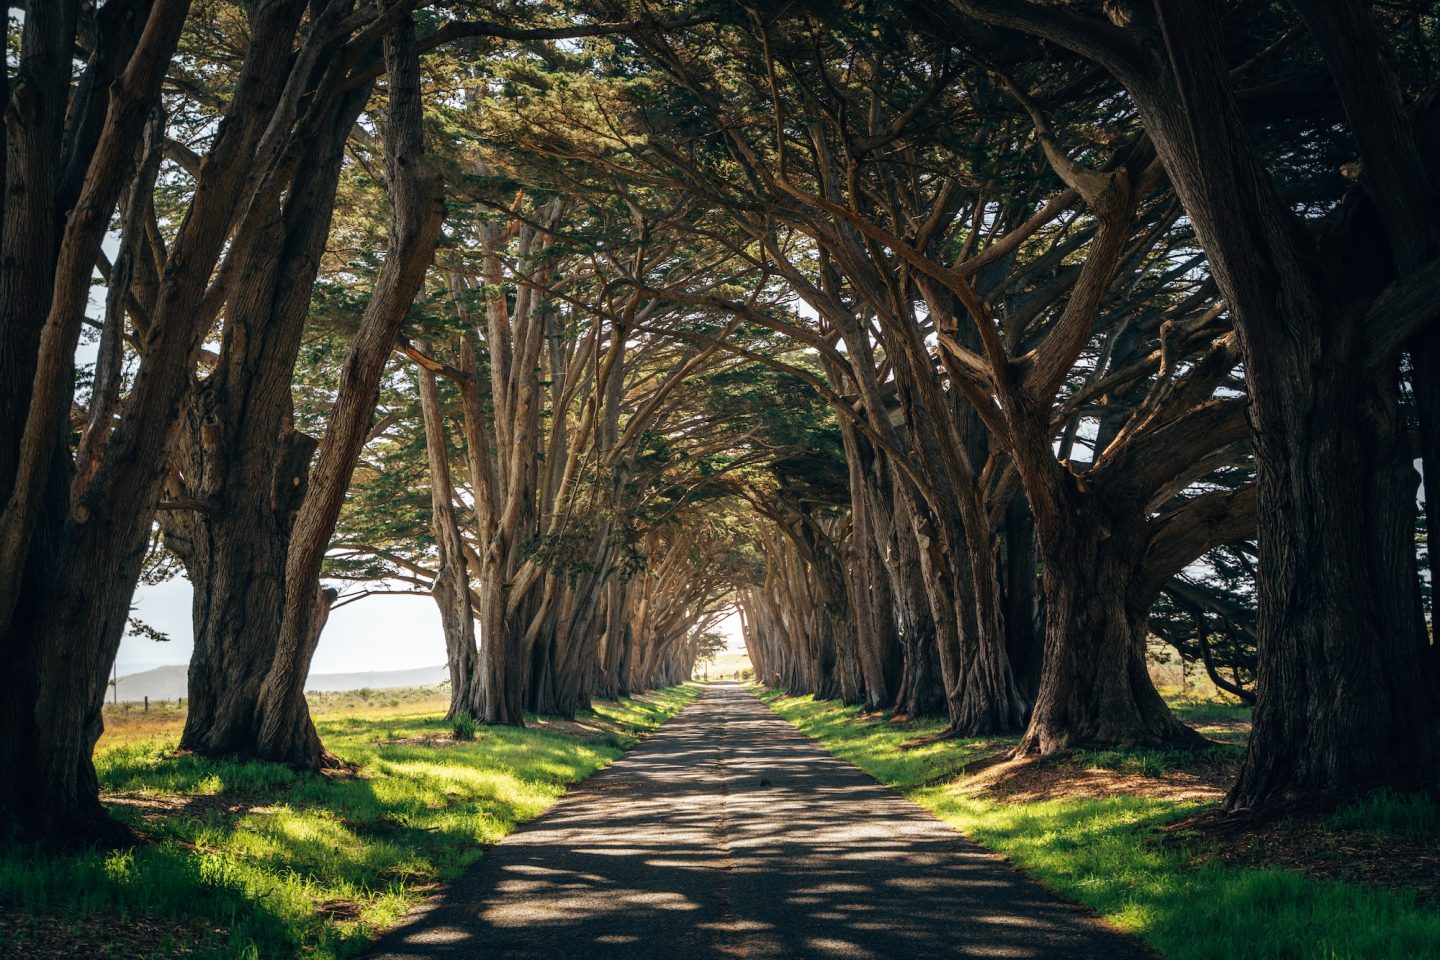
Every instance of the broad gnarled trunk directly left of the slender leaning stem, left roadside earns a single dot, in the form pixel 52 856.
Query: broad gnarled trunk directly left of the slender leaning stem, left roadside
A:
pixel 244 468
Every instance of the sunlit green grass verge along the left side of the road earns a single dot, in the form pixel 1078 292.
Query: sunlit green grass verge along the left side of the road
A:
pixel 251 860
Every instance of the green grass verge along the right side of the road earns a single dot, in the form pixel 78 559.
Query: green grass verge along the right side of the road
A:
pixel 1110 853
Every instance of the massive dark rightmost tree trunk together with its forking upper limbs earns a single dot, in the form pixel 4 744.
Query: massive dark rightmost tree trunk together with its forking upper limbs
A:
pixel 1341 706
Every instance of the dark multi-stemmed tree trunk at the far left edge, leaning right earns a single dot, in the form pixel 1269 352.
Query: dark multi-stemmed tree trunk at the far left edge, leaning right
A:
pixel 83 563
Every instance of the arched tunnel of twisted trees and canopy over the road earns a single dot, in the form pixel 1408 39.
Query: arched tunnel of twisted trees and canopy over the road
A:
pixel 971 352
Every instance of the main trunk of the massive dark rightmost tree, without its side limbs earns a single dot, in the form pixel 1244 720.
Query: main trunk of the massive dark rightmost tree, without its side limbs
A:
pixel 1341 706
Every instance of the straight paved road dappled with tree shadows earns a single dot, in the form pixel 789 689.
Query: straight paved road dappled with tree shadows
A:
pixel 728 834
